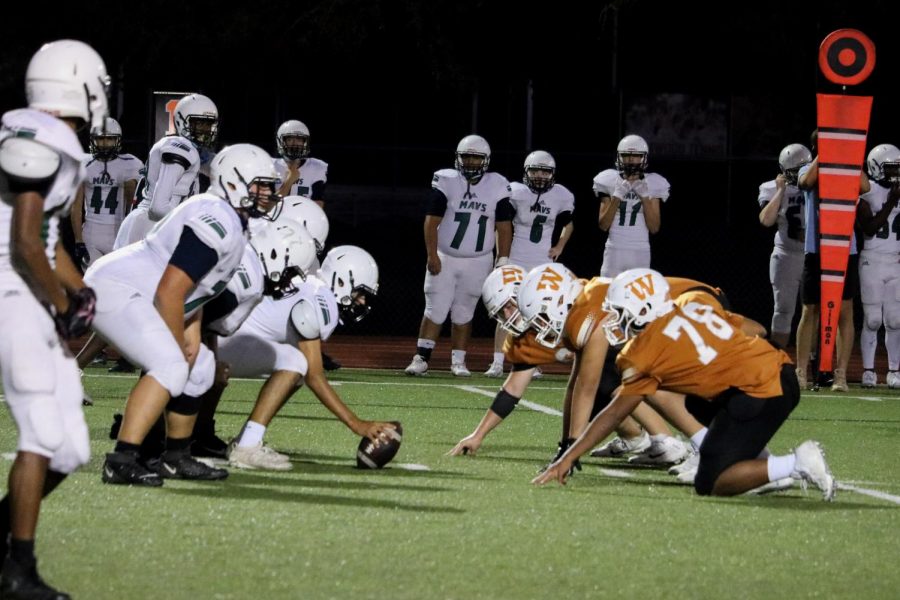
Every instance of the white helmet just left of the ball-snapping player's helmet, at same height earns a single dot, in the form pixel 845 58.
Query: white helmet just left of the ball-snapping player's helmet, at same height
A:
pixel 286 251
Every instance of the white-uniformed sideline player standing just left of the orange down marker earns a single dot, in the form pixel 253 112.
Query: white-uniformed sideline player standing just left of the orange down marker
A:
pixel 781 203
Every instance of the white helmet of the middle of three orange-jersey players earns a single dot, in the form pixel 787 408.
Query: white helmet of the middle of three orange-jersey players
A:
pixel 545 297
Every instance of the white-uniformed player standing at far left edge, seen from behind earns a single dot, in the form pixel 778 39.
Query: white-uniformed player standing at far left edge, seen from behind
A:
pixel 43 300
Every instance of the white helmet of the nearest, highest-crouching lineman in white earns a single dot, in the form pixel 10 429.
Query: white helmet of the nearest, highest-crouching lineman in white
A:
pixel 239 167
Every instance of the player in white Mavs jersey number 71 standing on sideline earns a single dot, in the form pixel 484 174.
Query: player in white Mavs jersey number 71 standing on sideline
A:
pixel 467 204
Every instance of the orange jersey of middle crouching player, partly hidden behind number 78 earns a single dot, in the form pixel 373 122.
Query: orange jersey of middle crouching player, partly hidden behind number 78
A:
pixel 587 311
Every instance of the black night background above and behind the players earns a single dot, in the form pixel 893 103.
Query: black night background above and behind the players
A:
pixel 388 88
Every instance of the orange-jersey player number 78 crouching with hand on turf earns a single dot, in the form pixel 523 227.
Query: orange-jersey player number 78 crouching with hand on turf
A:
pixel 692 347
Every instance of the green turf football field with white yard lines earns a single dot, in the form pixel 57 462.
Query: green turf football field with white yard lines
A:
pixel 432 526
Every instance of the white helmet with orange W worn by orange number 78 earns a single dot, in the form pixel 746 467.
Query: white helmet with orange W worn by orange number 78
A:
pixel 635 298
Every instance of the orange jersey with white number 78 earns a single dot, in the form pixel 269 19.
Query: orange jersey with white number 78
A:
pixel 699 349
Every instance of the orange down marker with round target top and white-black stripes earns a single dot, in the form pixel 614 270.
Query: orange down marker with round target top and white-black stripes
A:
pixel 846 57
